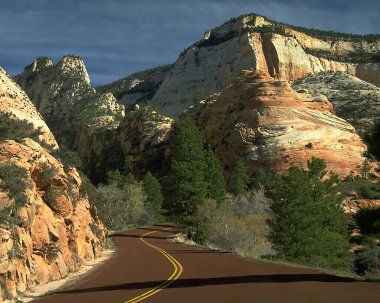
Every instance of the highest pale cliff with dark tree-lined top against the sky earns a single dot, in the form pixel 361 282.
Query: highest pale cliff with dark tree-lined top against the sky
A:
pixel 254 42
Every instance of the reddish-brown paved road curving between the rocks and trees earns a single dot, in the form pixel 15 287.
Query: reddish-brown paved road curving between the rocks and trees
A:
pixel 149 268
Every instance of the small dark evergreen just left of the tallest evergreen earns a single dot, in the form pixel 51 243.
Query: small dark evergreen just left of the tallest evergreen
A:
pixel 155 199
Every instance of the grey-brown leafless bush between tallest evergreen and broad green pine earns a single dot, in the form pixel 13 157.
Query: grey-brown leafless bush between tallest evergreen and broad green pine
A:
pixel 238 224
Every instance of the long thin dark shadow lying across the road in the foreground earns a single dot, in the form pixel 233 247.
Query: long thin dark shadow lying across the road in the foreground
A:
pixel 279 278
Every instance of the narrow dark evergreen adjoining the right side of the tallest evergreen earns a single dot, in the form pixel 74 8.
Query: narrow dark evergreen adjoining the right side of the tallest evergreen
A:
pixel 216 187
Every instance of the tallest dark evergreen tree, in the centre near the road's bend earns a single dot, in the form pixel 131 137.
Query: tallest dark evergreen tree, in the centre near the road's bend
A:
pixel 186 187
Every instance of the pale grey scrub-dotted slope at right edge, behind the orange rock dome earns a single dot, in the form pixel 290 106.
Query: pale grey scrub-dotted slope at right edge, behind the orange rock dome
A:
pixel 354 100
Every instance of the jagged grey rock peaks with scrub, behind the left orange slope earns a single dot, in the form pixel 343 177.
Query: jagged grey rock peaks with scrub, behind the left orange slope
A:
pixel 63 94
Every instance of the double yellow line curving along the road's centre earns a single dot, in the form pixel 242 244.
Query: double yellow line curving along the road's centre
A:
pixel 178 269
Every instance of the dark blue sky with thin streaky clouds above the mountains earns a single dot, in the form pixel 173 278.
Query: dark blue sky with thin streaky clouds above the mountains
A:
pixel 118 37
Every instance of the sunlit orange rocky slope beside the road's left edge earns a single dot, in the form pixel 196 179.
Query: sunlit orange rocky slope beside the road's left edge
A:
pixel 47 225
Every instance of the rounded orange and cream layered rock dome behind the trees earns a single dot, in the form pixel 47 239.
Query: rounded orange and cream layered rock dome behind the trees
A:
pixel 268 124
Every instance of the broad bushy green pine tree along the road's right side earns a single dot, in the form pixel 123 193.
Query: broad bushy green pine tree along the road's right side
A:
pixel 308 224
